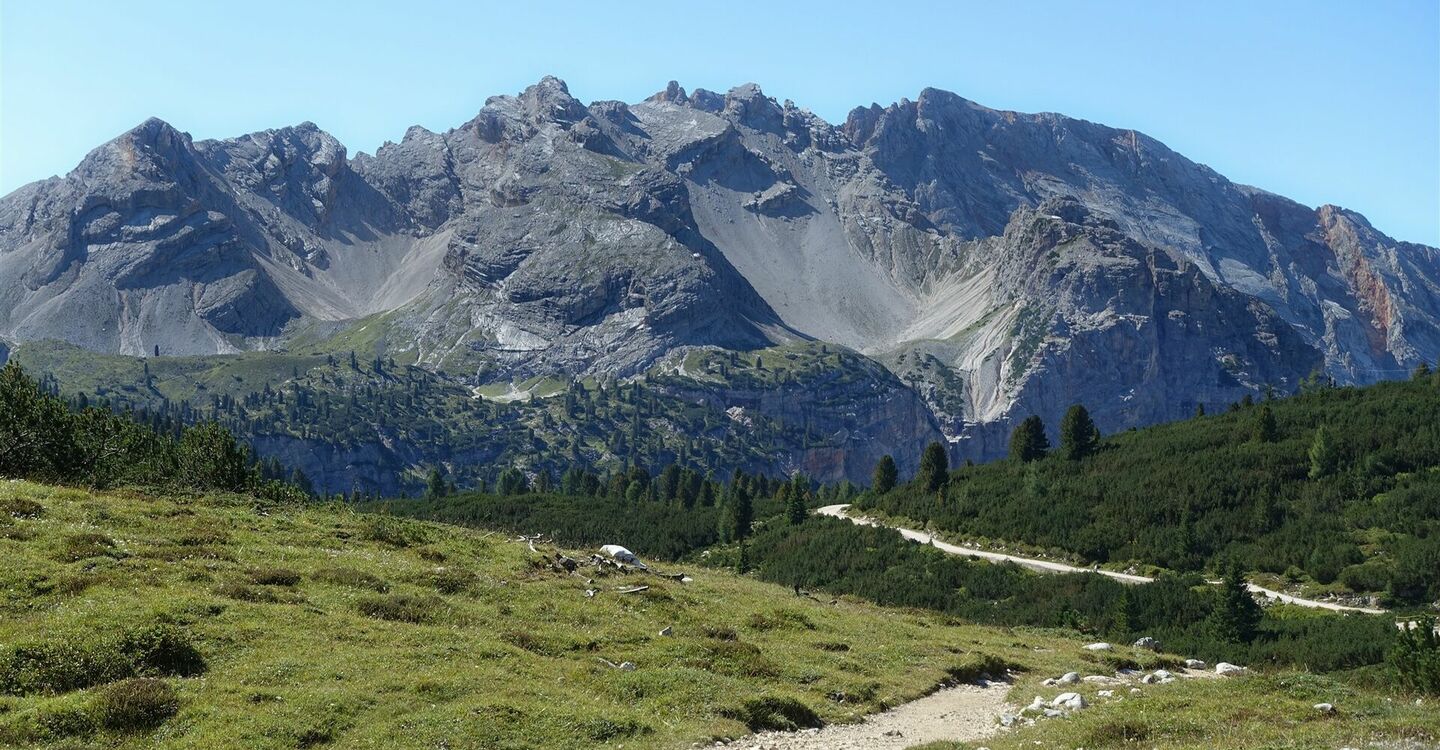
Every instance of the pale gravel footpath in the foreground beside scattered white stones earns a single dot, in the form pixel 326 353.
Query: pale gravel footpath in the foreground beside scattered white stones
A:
pixel 960 715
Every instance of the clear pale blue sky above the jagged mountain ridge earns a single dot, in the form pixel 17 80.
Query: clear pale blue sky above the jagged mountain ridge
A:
pixel 1321 101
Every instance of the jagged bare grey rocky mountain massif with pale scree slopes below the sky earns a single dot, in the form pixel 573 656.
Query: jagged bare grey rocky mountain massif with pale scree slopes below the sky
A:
pixel 999 264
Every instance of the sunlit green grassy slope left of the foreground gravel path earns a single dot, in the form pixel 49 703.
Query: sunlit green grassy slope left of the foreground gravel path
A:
pixel 305 627
